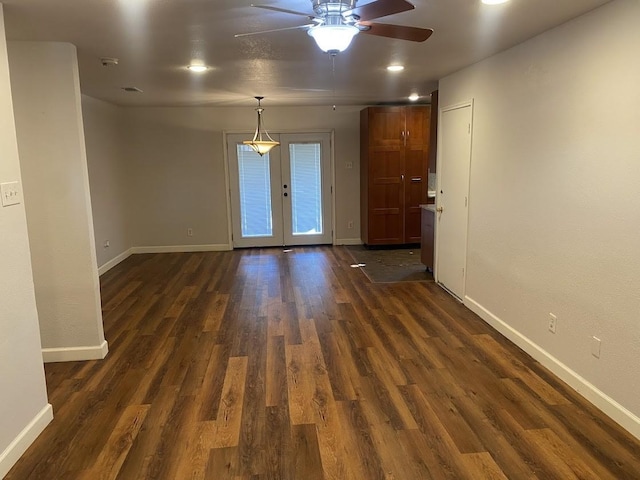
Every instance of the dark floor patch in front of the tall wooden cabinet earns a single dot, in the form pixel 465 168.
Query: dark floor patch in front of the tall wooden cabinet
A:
pixel 390 265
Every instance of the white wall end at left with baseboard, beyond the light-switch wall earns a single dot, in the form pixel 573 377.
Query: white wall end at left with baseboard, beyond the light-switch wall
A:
pixel 46 96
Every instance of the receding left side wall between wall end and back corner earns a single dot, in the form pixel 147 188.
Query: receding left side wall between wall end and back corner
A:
pixel 108 177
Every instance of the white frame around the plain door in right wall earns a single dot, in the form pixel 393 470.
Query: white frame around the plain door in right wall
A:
pixel 441 111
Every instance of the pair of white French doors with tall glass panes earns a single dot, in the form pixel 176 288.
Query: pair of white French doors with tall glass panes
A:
pixel 283 197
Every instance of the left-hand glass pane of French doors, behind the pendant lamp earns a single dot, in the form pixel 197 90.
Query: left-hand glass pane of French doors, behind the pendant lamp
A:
pixel 255 193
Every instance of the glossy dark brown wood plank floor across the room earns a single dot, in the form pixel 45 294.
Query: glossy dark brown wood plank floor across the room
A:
pixel 261 364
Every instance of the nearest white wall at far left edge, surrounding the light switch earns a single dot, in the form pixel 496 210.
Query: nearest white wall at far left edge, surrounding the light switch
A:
pixel 24 410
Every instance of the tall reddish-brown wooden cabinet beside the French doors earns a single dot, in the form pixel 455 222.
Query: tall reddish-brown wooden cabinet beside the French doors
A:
pixel 394 156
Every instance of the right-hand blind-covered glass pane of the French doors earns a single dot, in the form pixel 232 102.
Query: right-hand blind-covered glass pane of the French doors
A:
pixel 306 188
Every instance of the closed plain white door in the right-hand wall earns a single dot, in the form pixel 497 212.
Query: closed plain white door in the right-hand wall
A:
pixel 452 199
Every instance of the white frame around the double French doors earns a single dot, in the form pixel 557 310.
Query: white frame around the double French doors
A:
pixel 249 134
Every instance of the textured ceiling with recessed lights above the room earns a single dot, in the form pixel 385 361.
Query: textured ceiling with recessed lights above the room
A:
pixel 155 39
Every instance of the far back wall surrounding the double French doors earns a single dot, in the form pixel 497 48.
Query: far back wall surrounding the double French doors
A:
pixel 176 167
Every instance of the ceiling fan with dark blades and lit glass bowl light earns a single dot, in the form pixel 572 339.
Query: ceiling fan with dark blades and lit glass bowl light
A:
pixel 335 23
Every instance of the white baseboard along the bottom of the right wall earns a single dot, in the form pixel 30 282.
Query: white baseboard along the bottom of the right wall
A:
pixel 625 418
